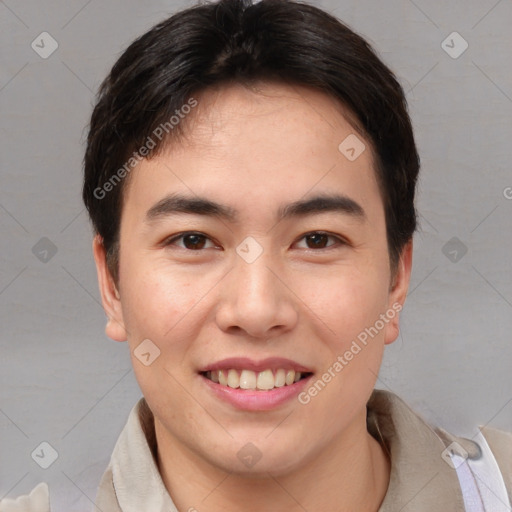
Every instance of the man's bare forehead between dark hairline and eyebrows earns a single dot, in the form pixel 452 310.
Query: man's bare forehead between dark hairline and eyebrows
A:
pixel 266 141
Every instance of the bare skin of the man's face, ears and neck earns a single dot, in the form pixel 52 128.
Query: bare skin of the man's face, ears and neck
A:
pixel 255 150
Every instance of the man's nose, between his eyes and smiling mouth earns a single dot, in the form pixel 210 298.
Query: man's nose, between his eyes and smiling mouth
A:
pixel 256 300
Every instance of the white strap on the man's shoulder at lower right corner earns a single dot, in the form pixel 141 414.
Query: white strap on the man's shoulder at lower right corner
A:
pixel 481 481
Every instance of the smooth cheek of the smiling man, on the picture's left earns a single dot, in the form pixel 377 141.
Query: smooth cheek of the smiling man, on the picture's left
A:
pixel 158 306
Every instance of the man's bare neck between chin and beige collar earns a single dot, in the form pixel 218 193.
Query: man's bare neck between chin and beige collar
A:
pixel 349 473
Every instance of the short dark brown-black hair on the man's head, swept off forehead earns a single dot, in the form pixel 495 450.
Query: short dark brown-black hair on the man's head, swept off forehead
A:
pixel 238 41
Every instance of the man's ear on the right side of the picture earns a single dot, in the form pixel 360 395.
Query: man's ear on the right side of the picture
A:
pixel 398 292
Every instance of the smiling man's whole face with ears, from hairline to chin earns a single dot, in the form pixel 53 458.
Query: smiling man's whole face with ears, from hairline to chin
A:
pixel 280 279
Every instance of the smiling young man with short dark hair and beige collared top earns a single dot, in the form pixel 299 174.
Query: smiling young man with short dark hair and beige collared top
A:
pixel 250 175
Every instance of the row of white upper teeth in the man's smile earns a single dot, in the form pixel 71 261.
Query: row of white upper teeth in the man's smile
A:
pixel 247 379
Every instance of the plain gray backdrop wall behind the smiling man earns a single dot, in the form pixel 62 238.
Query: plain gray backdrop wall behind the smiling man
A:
pixel 64 382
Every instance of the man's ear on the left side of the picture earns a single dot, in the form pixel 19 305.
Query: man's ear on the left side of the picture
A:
pixel 110 297
